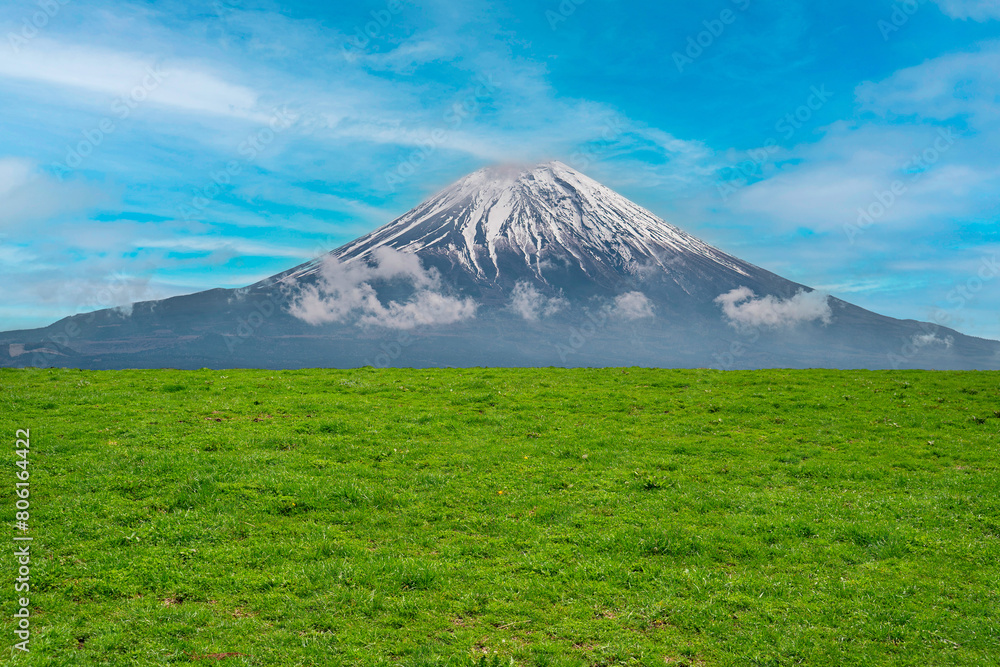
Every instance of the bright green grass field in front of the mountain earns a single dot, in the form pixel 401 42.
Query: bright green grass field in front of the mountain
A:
pixel 506 517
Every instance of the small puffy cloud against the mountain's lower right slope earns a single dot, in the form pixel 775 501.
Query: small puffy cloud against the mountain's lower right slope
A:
pixel 744 309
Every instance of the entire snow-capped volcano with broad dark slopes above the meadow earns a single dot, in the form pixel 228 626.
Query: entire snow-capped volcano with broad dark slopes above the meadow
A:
pixel 510 266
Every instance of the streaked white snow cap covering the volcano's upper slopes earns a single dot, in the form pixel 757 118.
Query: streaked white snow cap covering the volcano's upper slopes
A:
pixel 530 218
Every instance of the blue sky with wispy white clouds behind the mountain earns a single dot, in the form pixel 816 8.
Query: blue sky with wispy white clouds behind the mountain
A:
pixel 156 148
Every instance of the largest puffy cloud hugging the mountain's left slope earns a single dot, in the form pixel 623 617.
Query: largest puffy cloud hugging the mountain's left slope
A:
pixel 344 291
